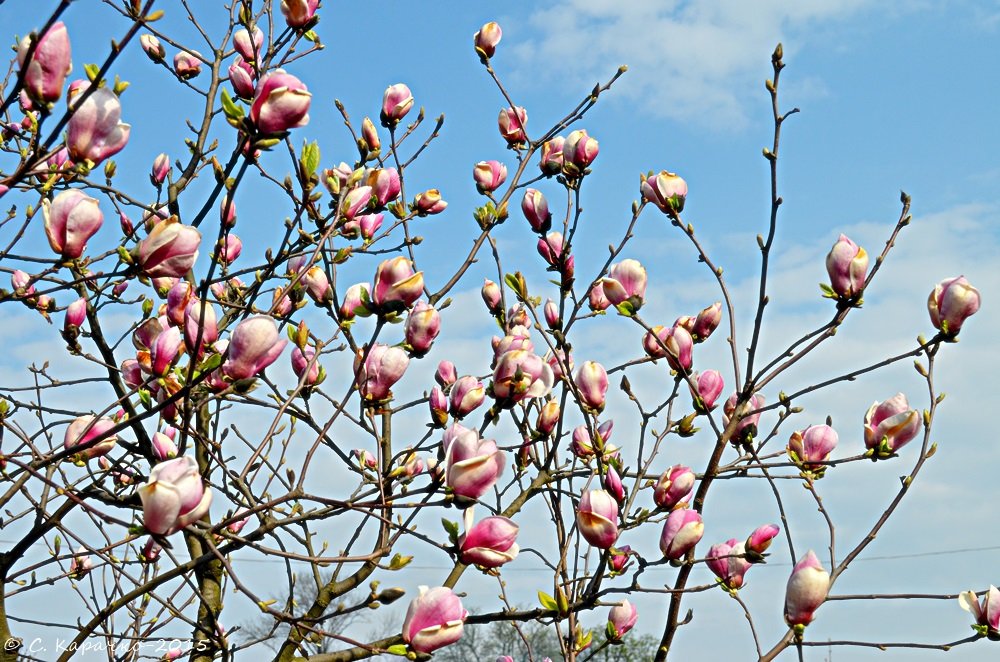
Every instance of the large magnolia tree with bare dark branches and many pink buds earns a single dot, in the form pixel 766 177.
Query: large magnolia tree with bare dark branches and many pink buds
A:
pixel 165 449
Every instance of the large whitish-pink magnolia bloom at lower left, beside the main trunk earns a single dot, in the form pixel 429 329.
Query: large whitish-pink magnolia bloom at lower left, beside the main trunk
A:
pixel 174 496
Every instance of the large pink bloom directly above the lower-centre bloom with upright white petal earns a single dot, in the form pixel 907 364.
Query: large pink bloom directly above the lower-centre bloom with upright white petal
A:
pixel 471 465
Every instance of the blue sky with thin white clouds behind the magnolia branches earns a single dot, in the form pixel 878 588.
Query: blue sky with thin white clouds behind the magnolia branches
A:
pixel 893 96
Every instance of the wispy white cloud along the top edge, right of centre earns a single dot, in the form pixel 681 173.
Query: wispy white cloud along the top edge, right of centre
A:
pixel 691 61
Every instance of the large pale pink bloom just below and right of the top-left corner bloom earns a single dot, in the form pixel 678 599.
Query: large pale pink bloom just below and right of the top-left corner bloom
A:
pixel 95 128
